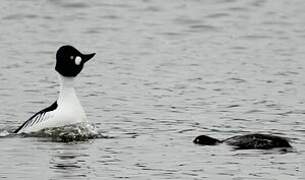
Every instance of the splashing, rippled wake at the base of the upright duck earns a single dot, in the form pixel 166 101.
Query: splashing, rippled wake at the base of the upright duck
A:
pixel 75 132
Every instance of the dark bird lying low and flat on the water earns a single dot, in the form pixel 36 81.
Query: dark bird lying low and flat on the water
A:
pixel 249 141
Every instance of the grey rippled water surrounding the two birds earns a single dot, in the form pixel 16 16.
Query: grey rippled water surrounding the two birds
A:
pixel 165 72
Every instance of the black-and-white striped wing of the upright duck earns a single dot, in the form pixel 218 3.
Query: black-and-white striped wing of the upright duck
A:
pixel 38 117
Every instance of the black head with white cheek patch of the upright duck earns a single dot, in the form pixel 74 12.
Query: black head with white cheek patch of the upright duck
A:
pixel 69 61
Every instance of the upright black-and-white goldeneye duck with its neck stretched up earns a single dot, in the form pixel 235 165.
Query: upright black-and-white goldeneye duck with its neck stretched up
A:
pixel 67 109
